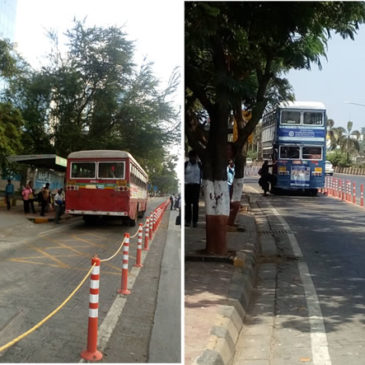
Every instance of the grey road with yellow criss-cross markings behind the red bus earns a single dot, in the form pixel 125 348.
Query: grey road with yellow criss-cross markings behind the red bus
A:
pixel 42 264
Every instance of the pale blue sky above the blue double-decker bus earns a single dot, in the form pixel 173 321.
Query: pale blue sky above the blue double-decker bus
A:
pixel 340 82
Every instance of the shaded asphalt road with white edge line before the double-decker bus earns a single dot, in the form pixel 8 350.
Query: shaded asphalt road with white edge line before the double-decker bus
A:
pixel 319 311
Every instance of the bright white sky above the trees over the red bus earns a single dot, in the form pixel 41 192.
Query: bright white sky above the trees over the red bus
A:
pixel 156 27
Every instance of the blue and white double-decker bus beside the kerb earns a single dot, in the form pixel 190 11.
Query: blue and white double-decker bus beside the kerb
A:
pixel 294 141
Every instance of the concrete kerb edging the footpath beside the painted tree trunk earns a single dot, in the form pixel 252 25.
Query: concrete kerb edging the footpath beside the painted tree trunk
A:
pixel 229 321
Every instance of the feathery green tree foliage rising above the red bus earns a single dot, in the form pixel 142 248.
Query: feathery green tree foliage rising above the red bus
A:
pixel 93 97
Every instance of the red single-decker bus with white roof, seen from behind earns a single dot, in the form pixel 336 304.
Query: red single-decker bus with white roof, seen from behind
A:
pixel 105 183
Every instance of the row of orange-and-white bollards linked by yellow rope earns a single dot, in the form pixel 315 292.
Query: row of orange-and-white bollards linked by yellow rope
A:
pixel 91 353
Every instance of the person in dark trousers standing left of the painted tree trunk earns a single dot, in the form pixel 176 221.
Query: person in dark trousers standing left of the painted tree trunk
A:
pixel 193 172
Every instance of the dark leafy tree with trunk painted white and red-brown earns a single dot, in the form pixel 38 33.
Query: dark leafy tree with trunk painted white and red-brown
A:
pixel 236 54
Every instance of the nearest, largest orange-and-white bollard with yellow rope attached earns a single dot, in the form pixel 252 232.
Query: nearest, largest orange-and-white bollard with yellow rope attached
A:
pixel 91 353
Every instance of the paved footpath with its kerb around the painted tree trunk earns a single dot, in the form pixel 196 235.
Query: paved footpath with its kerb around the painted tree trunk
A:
pixel 217 290
